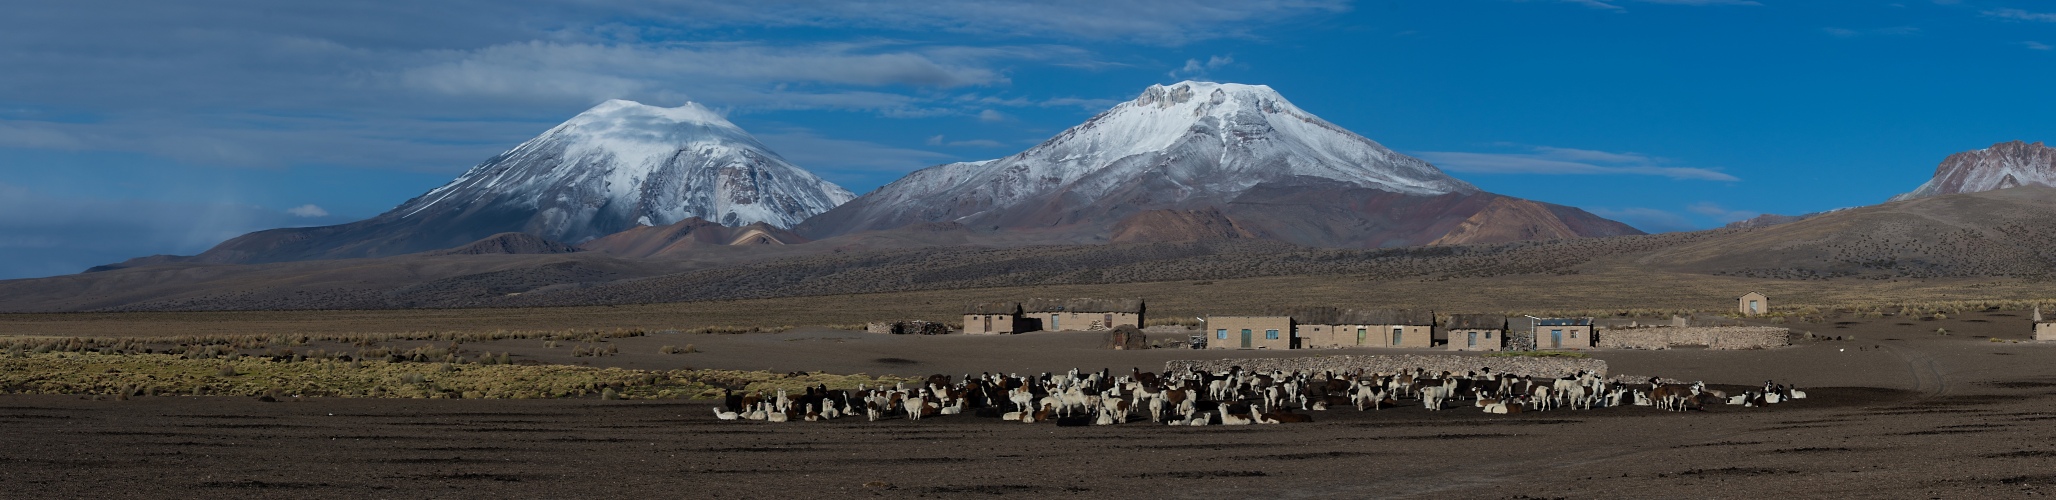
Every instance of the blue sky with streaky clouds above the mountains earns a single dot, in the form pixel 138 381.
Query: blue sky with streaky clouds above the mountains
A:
pixel 135 129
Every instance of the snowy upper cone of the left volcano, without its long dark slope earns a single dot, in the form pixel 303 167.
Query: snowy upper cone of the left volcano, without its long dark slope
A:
pixel 626 166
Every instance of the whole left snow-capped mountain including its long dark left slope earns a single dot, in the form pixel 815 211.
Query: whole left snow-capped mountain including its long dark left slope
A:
pixel 614 168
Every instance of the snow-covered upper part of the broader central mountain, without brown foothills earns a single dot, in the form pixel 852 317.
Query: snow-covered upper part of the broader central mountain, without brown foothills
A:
pixel 1185 145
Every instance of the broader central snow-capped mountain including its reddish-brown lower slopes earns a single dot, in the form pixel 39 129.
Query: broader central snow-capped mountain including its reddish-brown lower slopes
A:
pixel 1243 151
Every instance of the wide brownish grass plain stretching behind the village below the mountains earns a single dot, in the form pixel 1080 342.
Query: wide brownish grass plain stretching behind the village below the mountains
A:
pixel 1599 293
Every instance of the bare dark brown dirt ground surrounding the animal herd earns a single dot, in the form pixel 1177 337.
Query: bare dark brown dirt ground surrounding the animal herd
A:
pixel 1897 413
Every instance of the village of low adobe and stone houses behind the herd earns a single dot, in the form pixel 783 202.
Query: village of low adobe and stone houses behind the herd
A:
pixel 1331 328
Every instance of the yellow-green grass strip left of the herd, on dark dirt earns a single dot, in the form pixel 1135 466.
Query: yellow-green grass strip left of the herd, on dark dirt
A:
pixel 137 376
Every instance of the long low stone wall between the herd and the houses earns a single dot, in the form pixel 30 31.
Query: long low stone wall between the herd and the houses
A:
pixel 1376 363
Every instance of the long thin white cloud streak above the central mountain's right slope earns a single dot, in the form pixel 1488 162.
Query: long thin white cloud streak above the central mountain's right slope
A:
pixel 1568 162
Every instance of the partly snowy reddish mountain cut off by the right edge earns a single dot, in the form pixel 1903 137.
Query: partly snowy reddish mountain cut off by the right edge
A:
pixel 1997 168
